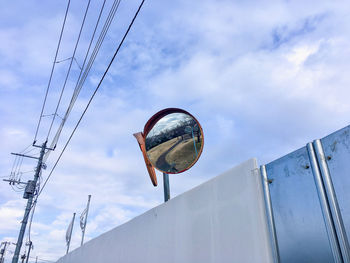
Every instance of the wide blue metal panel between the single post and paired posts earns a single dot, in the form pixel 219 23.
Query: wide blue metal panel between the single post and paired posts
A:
pixel 300 228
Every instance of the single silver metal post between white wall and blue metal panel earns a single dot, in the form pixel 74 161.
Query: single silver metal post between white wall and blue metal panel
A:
pixel 269 212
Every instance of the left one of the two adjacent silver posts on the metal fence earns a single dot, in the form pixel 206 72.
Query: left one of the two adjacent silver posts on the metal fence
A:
pixel 327 217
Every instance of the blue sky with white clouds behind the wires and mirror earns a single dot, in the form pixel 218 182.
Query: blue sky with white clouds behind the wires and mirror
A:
pixel 262 77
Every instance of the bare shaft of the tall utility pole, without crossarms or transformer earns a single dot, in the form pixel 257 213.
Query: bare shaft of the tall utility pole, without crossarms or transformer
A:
pixel 29 206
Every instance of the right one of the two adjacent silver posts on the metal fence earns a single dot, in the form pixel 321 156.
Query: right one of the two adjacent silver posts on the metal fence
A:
pixel 332 201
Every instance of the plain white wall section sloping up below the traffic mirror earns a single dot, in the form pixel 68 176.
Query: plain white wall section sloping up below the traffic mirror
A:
pixel 222 220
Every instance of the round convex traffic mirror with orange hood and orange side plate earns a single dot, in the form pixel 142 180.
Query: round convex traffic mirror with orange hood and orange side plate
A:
pixel 172 142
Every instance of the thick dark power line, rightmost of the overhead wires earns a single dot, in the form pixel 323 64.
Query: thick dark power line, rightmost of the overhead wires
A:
pixel 93 95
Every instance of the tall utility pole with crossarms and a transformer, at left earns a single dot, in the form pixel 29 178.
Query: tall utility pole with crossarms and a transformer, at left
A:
pixel 29 193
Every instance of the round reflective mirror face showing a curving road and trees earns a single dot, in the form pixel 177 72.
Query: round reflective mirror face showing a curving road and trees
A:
pixel 174 143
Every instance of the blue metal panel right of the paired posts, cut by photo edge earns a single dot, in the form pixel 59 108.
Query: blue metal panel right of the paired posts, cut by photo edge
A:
pixel 336 148
